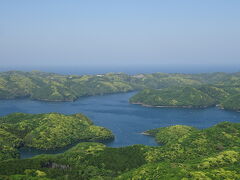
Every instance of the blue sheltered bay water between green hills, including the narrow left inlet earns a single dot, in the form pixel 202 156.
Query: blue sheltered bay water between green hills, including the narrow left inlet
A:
pixel 125 120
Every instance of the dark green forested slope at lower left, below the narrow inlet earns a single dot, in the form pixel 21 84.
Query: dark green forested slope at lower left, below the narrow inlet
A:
pixel 84 161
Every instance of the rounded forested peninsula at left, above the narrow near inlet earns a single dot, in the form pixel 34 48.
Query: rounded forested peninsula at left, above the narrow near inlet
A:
pixel 46 131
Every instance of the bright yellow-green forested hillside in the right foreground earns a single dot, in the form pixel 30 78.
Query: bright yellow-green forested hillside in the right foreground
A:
pixel 189 153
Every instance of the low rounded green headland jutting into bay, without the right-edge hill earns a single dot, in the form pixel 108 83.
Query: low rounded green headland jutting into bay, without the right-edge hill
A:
pixel 175 96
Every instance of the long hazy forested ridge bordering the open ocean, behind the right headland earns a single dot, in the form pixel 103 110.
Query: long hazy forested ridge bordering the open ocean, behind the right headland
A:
pixel 55 87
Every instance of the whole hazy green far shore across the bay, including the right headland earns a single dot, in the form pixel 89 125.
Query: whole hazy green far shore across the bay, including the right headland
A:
pixel 201 89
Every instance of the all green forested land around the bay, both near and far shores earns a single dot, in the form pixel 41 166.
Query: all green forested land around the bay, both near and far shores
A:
pixel 184 152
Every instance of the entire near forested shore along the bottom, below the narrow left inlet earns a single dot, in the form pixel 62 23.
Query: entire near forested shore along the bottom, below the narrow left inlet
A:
pixel 185 153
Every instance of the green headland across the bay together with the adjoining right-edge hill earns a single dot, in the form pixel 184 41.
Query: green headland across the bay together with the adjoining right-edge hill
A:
pixel 191 97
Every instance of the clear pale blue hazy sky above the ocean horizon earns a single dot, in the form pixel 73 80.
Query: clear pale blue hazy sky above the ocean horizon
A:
pixel 127 33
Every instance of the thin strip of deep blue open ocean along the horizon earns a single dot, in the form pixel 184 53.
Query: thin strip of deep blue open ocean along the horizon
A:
pixel 129 70
